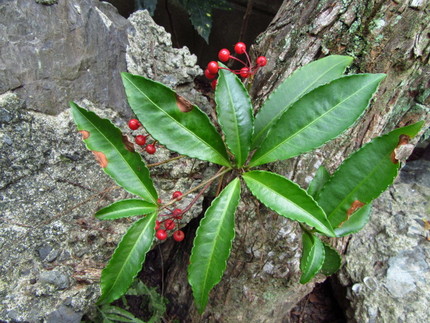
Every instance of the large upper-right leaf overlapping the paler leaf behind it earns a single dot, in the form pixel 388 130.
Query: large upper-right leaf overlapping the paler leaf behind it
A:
pixel 318 117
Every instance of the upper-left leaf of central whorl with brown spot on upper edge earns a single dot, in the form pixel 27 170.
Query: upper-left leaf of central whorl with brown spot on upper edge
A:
pixel 173 121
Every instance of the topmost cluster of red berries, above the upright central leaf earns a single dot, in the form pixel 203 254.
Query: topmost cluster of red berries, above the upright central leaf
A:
pixel 249 69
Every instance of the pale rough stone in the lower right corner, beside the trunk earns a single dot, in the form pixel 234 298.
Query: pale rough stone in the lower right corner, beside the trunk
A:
pixel 390 284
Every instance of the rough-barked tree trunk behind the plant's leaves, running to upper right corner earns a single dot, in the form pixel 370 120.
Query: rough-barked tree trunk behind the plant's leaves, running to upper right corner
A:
pixel 392 37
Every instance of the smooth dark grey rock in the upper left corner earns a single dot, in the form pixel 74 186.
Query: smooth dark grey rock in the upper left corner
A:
pixel 71 50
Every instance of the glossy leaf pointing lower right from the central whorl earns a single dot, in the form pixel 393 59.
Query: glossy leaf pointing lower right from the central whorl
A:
pixel 288 199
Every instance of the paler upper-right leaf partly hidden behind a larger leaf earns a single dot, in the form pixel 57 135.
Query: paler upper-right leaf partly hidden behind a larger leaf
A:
pixel 294 87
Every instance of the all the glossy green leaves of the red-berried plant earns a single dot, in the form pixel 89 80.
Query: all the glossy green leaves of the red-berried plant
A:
pixel 311 107
